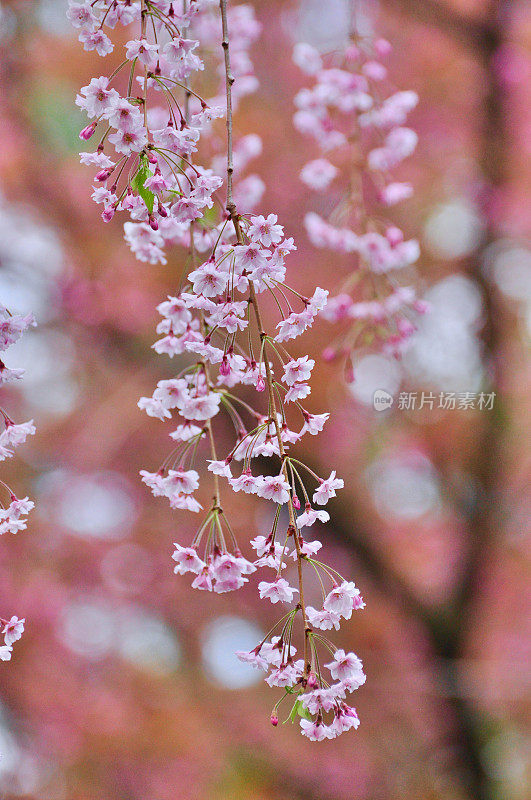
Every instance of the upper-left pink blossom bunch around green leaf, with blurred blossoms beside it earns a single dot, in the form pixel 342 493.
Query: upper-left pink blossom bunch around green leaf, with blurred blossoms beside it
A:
pixel 156 125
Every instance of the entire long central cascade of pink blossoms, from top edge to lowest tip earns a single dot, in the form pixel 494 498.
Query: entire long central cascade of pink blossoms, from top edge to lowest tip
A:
pixel 214 328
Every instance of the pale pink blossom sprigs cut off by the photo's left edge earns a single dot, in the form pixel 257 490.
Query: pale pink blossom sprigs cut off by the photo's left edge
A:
pixel 13 511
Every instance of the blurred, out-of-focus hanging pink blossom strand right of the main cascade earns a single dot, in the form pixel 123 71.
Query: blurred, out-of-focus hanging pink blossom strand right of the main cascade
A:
pixel 360 126
